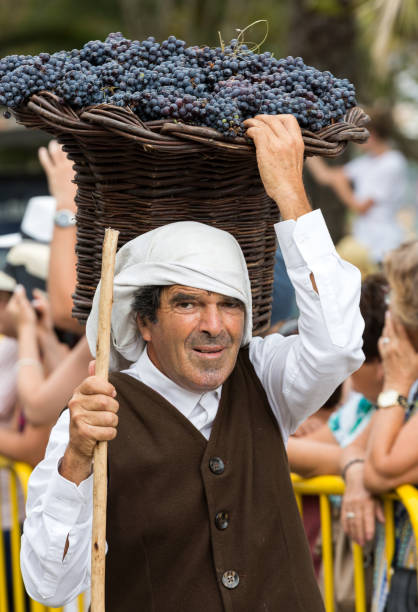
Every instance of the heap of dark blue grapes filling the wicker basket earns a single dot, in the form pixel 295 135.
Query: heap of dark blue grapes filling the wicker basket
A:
pixel 214 87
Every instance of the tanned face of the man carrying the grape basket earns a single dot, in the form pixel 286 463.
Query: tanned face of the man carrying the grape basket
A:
pixel 196 338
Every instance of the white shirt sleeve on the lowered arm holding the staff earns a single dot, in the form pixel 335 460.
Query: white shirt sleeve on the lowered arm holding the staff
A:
pixel 56 508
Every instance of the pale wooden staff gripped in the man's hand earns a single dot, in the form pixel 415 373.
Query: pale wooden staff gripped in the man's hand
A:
pixel 100 452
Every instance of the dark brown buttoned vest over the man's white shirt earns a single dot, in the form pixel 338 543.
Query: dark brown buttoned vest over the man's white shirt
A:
pixel 204 525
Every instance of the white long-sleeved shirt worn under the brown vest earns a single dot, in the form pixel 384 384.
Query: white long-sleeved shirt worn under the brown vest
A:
pixel 298 373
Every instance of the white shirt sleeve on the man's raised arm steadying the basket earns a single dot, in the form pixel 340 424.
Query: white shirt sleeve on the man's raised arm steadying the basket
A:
pixel 299 373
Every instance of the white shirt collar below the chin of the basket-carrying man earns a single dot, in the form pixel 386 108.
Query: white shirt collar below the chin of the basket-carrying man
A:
pixel 184 400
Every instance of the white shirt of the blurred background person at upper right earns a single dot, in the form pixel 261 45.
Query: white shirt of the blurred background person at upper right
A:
pixel 381 178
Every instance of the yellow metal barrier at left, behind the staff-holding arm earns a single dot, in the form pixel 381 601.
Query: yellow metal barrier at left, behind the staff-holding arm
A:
pixel 19 476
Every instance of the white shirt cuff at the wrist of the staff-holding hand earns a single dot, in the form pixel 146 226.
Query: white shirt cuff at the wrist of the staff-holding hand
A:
pixel 67 502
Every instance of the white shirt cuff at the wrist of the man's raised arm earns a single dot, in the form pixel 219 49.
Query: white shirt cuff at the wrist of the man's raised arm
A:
pixel 304 240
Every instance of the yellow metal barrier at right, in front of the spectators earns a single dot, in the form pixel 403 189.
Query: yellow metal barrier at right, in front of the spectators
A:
pixel 323 486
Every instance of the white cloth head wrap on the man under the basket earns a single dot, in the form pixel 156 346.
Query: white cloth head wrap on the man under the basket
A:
pixel 185 253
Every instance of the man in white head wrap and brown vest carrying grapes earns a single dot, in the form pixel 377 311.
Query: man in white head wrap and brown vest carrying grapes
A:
pixel 201 509
